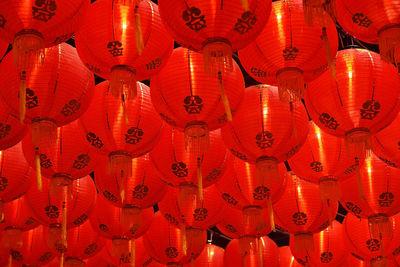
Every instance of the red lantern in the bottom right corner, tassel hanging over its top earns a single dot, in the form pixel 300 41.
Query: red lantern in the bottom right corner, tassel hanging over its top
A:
pixel 375 250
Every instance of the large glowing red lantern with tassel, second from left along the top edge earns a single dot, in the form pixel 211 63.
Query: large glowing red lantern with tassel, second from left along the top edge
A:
pixel 123 43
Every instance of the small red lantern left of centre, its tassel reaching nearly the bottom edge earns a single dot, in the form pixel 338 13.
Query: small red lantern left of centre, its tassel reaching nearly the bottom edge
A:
pixel 121 227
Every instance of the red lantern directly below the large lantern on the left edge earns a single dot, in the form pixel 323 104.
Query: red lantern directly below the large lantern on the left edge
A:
pixel 68 159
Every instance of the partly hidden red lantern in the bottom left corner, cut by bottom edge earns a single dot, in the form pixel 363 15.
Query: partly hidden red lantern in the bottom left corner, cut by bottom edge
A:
pixel 34 250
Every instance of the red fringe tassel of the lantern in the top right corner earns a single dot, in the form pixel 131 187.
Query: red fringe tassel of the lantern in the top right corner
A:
pixel 389 44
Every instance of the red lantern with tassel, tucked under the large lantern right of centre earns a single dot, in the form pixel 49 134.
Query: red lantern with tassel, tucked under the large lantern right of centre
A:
pixel 242 189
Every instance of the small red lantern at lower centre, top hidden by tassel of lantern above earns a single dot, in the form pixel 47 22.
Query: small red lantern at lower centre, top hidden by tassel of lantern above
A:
pixel 189 210
